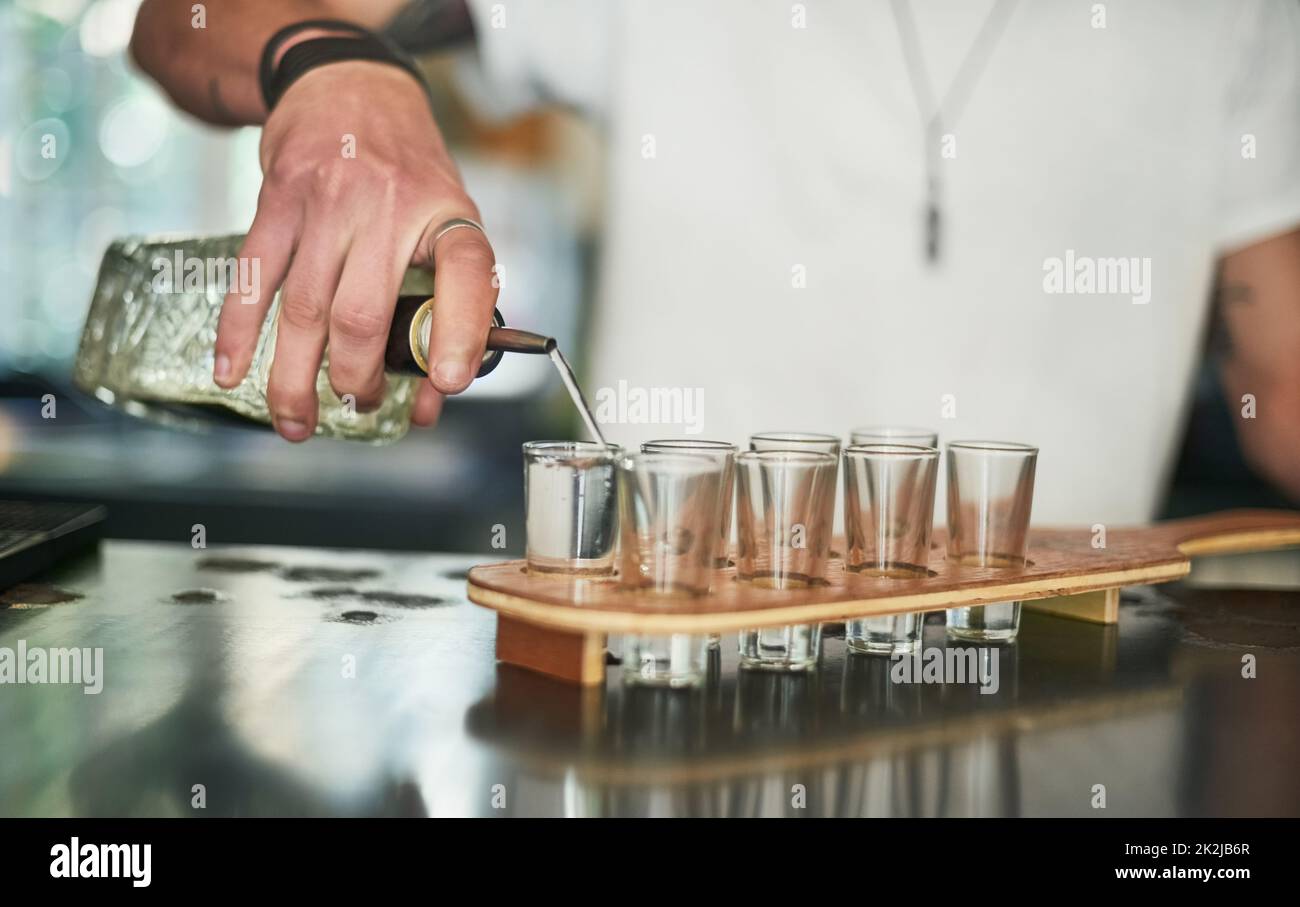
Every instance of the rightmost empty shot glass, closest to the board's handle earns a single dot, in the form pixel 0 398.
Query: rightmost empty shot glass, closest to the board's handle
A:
pixel 990 497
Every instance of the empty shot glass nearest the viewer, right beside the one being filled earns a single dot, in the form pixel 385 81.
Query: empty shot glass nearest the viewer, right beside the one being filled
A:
pixel 670 506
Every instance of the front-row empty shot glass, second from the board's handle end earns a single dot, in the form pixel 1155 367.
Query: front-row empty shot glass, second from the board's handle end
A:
pixel 889 520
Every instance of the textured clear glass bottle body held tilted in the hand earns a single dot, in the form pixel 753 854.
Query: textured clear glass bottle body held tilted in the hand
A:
pixel 153 324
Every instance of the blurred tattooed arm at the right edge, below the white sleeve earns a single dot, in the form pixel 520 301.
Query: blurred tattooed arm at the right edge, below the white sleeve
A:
pixel 1260 306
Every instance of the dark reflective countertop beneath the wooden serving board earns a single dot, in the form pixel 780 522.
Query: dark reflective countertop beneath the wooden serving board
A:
pixel 270 682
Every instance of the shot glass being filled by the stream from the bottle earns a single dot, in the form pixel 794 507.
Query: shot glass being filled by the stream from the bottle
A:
pixel 570 507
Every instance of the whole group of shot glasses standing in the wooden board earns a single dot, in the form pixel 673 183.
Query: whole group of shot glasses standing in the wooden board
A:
pixel 664 518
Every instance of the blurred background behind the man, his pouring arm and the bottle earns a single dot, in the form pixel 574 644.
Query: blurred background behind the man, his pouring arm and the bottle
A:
pixel 128 163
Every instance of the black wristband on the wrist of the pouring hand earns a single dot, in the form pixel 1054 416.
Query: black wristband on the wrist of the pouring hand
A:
pixel 306 57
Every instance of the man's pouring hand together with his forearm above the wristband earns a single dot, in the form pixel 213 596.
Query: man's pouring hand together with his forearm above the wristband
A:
pixel 335 232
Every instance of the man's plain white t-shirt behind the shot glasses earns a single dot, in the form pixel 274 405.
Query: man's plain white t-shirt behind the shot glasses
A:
pixel 765 238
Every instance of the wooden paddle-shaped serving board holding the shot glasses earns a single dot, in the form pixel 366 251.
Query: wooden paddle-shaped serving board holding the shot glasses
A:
pixel 557 624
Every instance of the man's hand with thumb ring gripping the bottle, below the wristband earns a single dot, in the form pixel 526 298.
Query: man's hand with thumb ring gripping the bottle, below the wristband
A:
pixel 337 233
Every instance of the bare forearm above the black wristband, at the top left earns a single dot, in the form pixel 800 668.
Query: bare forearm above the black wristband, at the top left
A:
pixel 213 71
